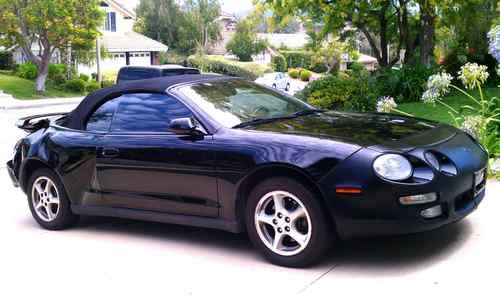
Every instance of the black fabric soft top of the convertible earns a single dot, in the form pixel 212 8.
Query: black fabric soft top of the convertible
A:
pixel 77 118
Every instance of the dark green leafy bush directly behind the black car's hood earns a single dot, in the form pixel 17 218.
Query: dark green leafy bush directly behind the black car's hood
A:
pixel 351 92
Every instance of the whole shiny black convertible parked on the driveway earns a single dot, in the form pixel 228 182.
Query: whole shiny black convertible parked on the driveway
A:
pixel 224 153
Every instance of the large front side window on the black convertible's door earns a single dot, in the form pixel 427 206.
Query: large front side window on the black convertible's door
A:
pixel 147 112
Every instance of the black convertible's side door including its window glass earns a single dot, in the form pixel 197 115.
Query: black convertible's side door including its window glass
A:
pixel 141 165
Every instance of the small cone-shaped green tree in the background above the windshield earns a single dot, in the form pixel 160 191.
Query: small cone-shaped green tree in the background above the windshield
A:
pixel 245 43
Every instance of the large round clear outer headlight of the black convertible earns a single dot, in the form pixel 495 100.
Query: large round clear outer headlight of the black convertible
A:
pixel 393 167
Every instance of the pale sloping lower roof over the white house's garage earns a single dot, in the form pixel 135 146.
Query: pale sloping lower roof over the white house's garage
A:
pixel 130 41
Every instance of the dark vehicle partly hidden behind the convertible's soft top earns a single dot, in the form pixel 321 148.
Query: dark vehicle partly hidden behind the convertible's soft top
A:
pixel 132 73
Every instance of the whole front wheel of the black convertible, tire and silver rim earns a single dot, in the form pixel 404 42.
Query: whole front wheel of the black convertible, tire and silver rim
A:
pixel 313 227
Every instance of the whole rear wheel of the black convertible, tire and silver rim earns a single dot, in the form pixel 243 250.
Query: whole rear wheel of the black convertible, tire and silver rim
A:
pixel 48 213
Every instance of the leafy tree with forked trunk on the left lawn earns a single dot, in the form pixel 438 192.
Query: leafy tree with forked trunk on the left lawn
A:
pixel 51 25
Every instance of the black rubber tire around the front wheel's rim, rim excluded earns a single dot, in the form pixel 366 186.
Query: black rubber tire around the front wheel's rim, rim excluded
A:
pixel 322 235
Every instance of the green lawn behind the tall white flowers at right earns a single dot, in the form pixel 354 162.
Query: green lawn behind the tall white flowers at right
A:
pixel 439 112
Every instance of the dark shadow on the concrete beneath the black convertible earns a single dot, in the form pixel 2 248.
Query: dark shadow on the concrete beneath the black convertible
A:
pixel 368 256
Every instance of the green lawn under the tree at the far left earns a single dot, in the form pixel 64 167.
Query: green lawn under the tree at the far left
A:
pixel 25 89
